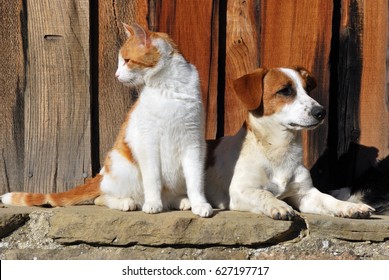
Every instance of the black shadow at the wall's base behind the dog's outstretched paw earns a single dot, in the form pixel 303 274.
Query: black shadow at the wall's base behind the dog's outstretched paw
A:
pixel 357 171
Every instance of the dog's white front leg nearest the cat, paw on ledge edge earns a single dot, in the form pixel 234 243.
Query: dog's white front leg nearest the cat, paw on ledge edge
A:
pixel 260 201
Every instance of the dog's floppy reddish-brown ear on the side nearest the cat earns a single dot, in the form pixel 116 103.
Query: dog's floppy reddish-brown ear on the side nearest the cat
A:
pixel 249 88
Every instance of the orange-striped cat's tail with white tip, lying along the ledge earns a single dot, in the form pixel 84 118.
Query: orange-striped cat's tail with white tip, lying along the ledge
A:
pixel 78 195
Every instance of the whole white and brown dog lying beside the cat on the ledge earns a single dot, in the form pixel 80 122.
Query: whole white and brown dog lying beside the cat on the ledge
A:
pixel 260 169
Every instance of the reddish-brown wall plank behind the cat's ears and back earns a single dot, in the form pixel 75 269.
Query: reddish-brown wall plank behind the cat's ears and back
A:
pixel 193 25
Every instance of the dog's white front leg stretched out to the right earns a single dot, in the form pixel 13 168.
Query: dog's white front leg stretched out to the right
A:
pixel 308 199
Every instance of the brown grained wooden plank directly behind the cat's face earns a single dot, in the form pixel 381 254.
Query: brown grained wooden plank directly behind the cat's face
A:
pixel 113 99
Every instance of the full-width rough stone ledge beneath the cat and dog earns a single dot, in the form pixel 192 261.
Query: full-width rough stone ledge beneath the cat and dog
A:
pixel 89 232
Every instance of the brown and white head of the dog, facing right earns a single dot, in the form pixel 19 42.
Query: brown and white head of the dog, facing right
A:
pixel 282 94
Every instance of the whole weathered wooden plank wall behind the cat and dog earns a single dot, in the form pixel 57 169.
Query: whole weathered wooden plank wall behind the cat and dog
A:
pixel 61 106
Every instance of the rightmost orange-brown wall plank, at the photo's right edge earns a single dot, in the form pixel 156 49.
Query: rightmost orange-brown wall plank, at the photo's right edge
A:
pixel 374 109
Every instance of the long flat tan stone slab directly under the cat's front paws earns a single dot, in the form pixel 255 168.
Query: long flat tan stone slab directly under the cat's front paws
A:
pixel 94 225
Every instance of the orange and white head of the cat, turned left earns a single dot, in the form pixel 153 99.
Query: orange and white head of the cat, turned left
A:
pixel 144 53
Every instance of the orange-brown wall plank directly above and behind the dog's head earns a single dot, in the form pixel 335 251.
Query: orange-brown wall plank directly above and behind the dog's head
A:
pixel 298 32
